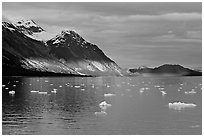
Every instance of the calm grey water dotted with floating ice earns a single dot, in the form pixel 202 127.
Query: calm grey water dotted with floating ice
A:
pixel 70 105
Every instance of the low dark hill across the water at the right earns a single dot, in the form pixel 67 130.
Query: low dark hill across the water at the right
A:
pixel 167 70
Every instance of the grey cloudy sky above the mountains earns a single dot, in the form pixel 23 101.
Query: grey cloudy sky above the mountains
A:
pixel 132 34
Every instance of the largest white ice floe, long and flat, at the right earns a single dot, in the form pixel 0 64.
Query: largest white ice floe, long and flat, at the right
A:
pixel 181 105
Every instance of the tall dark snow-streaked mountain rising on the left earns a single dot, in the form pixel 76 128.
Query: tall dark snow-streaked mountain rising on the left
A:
pixel 65 54
